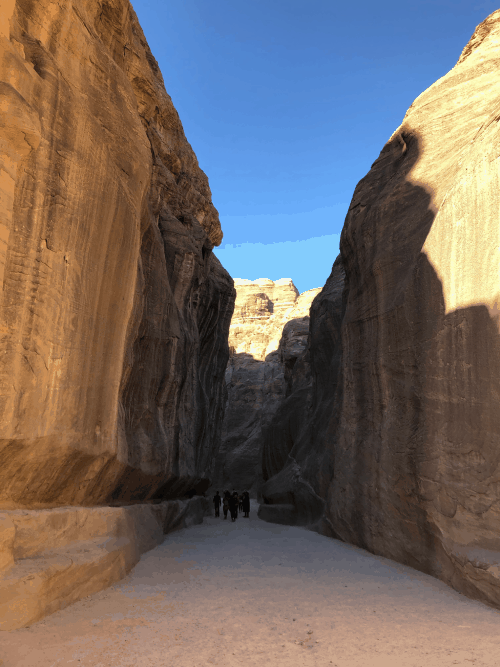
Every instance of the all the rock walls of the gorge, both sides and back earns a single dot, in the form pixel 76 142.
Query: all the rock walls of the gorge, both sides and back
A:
pixel 137 377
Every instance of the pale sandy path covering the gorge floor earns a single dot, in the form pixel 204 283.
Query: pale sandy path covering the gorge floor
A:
pixel 251 593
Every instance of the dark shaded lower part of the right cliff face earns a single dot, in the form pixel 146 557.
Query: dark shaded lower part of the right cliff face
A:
pixel 417 447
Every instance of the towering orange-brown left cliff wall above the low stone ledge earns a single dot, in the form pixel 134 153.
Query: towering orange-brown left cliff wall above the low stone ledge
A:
pixel 114 310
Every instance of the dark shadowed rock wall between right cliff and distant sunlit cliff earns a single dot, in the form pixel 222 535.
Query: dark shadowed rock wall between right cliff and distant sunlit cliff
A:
pixel 297 457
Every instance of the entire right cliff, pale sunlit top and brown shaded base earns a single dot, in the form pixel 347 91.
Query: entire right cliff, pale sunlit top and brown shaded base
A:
pixel 417 447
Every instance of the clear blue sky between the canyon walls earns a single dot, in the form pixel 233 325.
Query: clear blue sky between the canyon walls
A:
pixel 287 104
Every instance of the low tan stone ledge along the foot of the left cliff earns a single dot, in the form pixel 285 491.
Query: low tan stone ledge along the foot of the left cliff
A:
pixel 62 555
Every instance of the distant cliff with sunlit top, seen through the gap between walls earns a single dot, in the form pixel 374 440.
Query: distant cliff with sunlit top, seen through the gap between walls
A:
pixel 268 333
